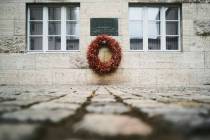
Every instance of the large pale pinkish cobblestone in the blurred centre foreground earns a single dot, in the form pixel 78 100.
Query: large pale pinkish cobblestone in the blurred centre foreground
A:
pixel 120 125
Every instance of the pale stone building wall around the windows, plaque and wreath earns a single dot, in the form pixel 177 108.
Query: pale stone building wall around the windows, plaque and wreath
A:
pixel 187 66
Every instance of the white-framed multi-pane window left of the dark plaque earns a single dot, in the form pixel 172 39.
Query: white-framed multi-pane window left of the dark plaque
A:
pixel 53 28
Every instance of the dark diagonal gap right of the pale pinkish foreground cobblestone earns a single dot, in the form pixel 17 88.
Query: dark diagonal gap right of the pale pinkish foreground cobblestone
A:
pixel 162 129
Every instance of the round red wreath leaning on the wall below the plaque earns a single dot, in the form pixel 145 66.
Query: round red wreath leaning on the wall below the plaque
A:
pixel 93 51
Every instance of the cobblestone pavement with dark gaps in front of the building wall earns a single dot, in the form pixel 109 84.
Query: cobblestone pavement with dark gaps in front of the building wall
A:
pixel 104 112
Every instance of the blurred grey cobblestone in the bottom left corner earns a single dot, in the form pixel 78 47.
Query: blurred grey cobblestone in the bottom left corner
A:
pixel 17 131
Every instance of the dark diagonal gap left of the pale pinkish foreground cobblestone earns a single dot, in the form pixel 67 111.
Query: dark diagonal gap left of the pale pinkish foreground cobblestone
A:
pixel 64 129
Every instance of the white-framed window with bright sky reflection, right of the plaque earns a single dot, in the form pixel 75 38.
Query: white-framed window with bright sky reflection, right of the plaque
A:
pixel 154 28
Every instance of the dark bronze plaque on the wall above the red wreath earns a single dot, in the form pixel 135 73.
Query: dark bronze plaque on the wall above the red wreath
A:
pixel 107 26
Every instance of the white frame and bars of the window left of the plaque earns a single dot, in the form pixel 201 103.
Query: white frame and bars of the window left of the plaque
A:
pixel 45 27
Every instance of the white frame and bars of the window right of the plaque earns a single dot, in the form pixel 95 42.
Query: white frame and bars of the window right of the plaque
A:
pixel 162 26
